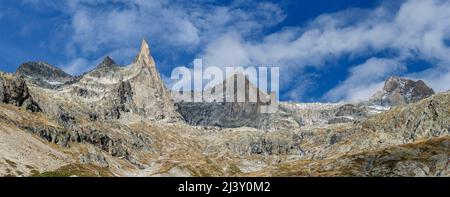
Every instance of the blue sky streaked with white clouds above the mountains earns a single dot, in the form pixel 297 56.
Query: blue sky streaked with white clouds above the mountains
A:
pixel 327 50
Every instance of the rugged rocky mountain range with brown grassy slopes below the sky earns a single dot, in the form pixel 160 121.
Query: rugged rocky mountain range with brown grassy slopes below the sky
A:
pixel 122 121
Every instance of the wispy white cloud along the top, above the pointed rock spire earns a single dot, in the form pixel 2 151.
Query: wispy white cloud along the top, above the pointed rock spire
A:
pixel 178 26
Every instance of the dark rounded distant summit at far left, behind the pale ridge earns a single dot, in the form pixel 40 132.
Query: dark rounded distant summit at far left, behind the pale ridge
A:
pixel 44 74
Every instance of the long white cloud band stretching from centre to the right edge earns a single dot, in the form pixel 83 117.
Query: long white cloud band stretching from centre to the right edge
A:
pixel 417 28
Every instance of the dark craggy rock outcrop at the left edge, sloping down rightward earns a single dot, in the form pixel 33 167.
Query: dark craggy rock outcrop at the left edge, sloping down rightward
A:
pixel 14 90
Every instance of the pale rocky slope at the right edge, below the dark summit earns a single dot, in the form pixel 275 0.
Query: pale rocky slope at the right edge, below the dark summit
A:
pixel 424 119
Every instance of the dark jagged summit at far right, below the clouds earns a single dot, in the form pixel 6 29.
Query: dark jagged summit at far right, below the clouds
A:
pixel 398 91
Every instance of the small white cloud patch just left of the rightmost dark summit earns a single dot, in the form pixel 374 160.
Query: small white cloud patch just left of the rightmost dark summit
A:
pixel 365 80
